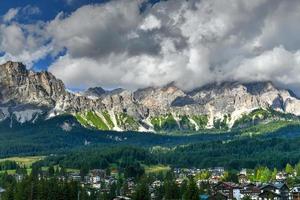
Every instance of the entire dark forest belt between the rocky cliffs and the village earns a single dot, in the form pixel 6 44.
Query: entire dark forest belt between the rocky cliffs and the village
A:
pixel 80 147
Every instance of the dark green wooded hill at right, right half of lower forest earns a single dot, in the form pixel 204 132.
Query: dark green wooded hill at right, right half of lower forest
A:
pixel 237 154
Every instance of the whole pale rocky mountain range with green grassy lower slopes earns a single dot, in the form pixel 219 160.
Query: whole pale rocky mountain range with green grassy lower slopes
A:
pixel 26 95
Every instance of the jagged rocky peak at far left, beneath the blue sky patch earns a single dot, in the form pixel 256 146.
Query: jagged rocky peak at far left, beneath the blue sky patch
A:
pixel 24 86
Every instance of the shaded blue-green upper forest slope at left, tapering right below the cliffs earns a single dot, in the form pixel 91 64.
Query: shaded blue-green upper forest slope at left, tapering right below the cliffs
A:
pixel 48 137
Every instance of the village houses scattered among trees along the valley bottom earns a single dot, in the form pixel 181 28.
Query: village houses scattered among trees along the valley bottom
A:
pixel 211 183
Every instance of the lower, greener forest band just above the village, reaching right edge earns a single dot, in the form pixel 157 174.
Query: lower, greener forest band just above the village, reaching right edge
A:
pixel 243 153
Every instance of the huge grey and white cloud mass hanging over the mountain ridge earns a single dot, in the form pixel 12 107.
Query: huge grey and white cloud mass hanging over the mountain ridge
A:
pixel 189 42
